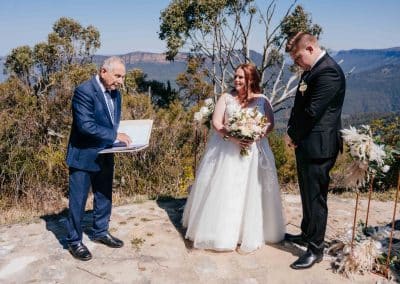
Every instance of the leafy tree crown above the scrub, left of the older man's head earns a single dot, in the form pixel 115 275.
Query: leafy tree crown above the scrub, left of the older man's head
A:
pixel 69 44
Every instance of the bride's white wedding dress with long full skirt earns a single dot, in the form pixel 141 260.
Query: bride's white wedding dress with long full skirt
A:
pixel 235 199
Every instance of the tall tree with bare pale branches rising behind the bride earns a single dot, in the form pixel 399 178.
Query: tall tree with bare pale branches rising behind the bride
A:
pixel 220 32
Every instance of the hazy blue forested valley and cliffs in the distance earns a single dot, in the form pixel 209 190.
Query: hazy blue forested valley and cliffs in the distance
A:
pixel 373 86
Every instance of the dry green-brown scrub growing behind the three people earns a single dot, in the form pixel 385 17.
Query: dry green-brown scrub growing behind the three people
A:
pixel 34 134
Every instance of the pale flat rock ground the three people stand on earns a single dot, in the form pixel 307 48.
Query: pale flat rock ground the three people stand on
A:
pixel 156 252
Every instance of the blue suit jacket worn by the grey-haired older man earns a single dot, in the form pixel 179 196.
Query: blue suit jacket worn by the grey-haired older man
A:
pixel 92 128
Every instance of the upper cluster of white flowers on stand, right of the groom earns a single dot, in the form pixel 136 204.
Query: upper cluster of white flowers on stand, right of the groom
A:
pixel 368 156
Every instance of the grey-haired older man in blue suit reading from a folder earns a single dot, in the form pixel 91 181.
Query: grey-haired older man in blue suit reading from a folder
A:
pixel 96 111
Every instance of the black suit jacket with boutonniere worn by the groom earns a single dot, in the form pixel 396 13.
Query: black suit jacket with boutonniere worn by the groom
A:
pixel 315 118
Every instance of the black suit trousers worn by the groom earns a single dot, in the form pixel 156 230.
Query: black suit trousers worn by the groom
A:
pixel 313 177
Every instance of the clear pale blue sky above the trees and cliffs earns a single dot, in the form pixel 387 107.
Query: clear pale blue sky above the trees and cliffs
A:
pixel 132 25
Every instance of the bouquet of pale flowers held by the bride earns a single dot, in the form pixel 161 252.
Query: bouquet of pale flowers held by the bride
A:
pixel 247 124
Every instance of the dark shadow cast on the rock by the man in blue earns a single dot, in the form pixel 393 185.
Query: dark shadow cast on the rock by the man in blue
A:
pixel 56 223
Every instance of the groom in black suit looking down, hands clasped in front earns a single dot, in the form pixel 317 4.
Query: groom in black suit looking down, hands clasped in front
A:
pixel 313 130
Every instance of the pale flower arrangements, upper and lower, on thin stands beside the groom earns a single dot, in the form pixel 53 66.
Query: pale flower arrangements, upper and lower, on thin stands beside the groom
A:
pixel 369 251
